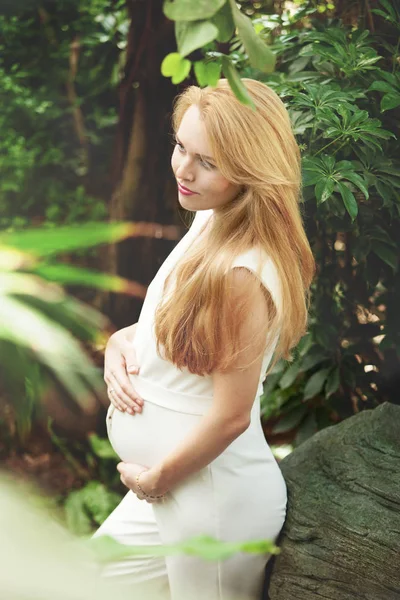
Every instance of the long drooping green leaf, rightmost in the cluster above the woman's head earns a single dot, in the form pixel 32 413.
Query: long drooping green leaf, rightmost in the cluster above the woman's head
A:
pixel 260 56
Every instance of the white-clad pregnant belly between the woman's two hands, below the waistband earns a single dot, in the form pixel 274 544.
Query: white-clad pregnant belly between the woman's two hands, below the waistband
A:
pixel 147 437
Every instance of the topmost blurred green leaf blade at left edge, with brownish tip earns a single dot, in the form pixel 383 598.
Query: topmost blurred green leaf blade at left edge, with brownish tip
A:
pixel 44 242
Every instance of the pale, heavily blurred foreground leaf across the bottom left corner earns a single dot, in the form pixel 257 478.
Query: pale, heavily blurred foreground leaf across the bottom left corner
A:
pixel 41 559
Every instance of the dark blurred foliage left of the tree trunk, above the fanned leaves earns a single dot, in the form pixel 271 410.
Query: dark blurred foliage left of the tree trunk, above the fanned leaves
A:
pixel 59 65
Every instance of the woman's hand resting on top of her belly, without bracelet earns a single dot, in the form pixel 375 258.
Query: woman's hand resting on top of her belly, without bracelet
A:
pixel 119 360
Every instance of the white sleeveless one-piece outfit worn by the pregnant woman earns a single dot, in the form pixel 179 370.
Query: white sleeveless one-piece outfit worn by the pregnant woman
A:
pixel 241 495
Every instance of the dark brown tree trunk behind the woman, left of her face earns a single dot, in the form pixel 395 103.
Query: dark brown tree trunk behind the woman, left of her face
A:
pixel 144 185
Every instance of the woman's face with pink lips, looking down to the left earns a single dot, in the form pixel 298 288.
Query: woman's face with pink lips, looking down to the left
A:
pixel 194 167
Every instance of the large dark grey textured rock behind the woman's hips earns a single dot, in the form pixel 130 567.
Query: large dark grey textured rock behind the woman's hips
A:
pixel 341 539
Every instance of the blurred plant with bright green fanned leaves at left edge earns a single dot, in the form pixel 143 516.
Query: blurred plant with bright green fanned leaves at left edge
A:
pixel 42 328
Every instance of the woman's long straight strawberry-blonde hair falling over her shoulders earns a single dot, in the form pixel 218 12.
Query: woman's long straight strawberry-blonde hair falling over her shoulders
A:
pixel 198 323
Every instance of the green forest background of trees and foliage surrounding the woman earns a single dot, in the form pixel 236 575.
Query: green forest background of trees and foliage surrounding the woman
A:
pixel 86 92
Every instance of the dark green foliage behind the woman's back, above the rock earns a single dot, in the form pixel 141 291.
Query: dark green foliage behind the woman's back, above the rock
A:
pixel 341 87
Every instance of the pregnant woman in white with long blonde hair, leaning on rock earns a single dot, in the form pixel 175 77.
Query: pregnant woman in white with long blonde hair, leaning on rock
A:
pixel 228 302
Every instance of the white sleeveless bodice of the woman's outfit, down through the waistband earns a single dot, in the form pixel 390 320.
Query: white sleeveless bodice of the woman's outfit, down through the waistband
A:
pixel 161 382
